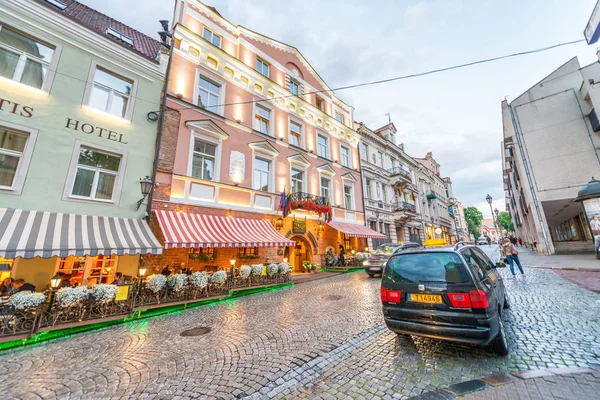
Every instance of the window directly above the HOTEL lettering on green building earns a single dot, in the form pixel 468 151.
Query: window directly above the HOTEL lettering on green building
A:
pixel 110 93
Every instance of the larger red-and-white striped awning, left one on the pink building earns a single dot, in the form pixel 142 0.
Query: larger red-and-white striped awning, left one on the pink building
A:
pixel 199 230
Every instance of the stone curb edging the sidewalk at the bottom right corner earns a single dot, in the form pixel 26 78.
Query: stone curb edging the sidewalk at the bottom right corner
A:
pixel 474 385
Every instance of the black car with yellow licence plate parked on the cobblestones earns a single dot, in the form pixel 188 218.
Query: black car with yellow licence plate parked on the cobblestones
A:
pixel 451 293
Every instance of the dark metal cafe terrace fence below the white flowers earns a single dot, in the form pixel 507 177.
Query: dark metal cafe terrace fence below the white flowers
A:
pixel 18 324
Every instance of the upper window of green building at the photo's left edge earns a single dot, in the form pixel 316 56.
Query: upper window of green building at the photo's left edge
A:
pixel 24 59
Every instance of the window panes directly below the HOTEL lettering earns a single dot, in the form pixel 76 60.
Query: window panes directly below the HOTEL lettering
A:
pixel 96 174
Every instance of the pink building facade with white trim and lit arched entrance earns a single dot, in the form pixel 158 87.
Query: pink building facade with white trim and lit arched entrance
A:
pixel 248 118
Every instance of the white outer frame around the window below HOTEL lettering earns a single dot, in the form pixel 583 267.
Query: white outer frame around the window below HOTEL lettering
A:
pixel 118 187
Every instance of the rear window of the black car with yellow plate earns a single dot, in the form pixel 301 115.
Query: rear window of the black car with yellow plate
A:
pixel 426 267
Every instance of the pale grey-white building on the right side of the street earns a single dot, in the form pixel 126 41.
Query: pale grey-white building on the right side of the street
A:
pixel 551 137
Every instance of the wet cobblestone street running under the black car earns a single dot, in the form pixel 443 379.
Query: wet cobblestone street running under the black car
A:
pixel 292 343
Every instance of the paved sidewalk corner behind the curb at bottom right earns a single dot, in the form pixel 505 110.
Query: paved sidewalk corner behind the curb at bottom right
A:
pixel 580 387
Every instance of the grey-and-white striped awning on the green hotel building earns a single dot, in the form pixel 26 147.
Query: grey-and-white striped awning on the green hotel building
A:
pixel 29 234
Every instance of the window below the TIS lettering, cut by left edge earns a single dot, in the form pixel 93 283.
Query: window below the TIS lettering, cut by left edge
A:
pixel 12 150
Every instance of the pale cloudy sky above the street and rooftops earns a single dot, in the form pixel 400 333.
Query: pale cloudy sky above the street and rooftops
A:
pixel 455 114
